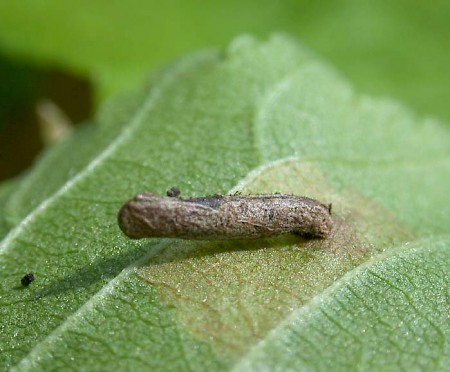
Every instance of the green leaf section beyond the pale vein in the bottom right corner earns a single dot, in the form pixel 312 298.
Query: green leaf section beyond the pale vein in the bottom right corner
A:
pixel 390 314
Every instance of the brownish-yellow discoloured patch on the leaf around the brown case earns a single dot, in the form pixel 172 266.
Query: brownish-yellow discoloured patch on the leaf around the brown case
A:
pixel 232 293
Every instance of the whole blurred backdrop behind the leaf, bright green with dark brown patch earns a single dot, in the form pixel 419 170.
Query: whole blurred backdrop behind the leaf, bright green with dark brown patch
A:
pixel 80 53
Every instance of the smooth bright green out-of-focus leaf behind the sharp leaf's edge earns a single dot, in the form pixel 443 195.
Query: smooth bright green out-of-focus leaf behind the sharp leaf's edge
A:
pixel 388 47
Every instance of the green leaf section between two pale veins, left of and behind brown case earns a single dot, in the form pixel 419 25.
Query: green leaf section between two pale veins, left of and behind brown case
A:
pixel 76 226
